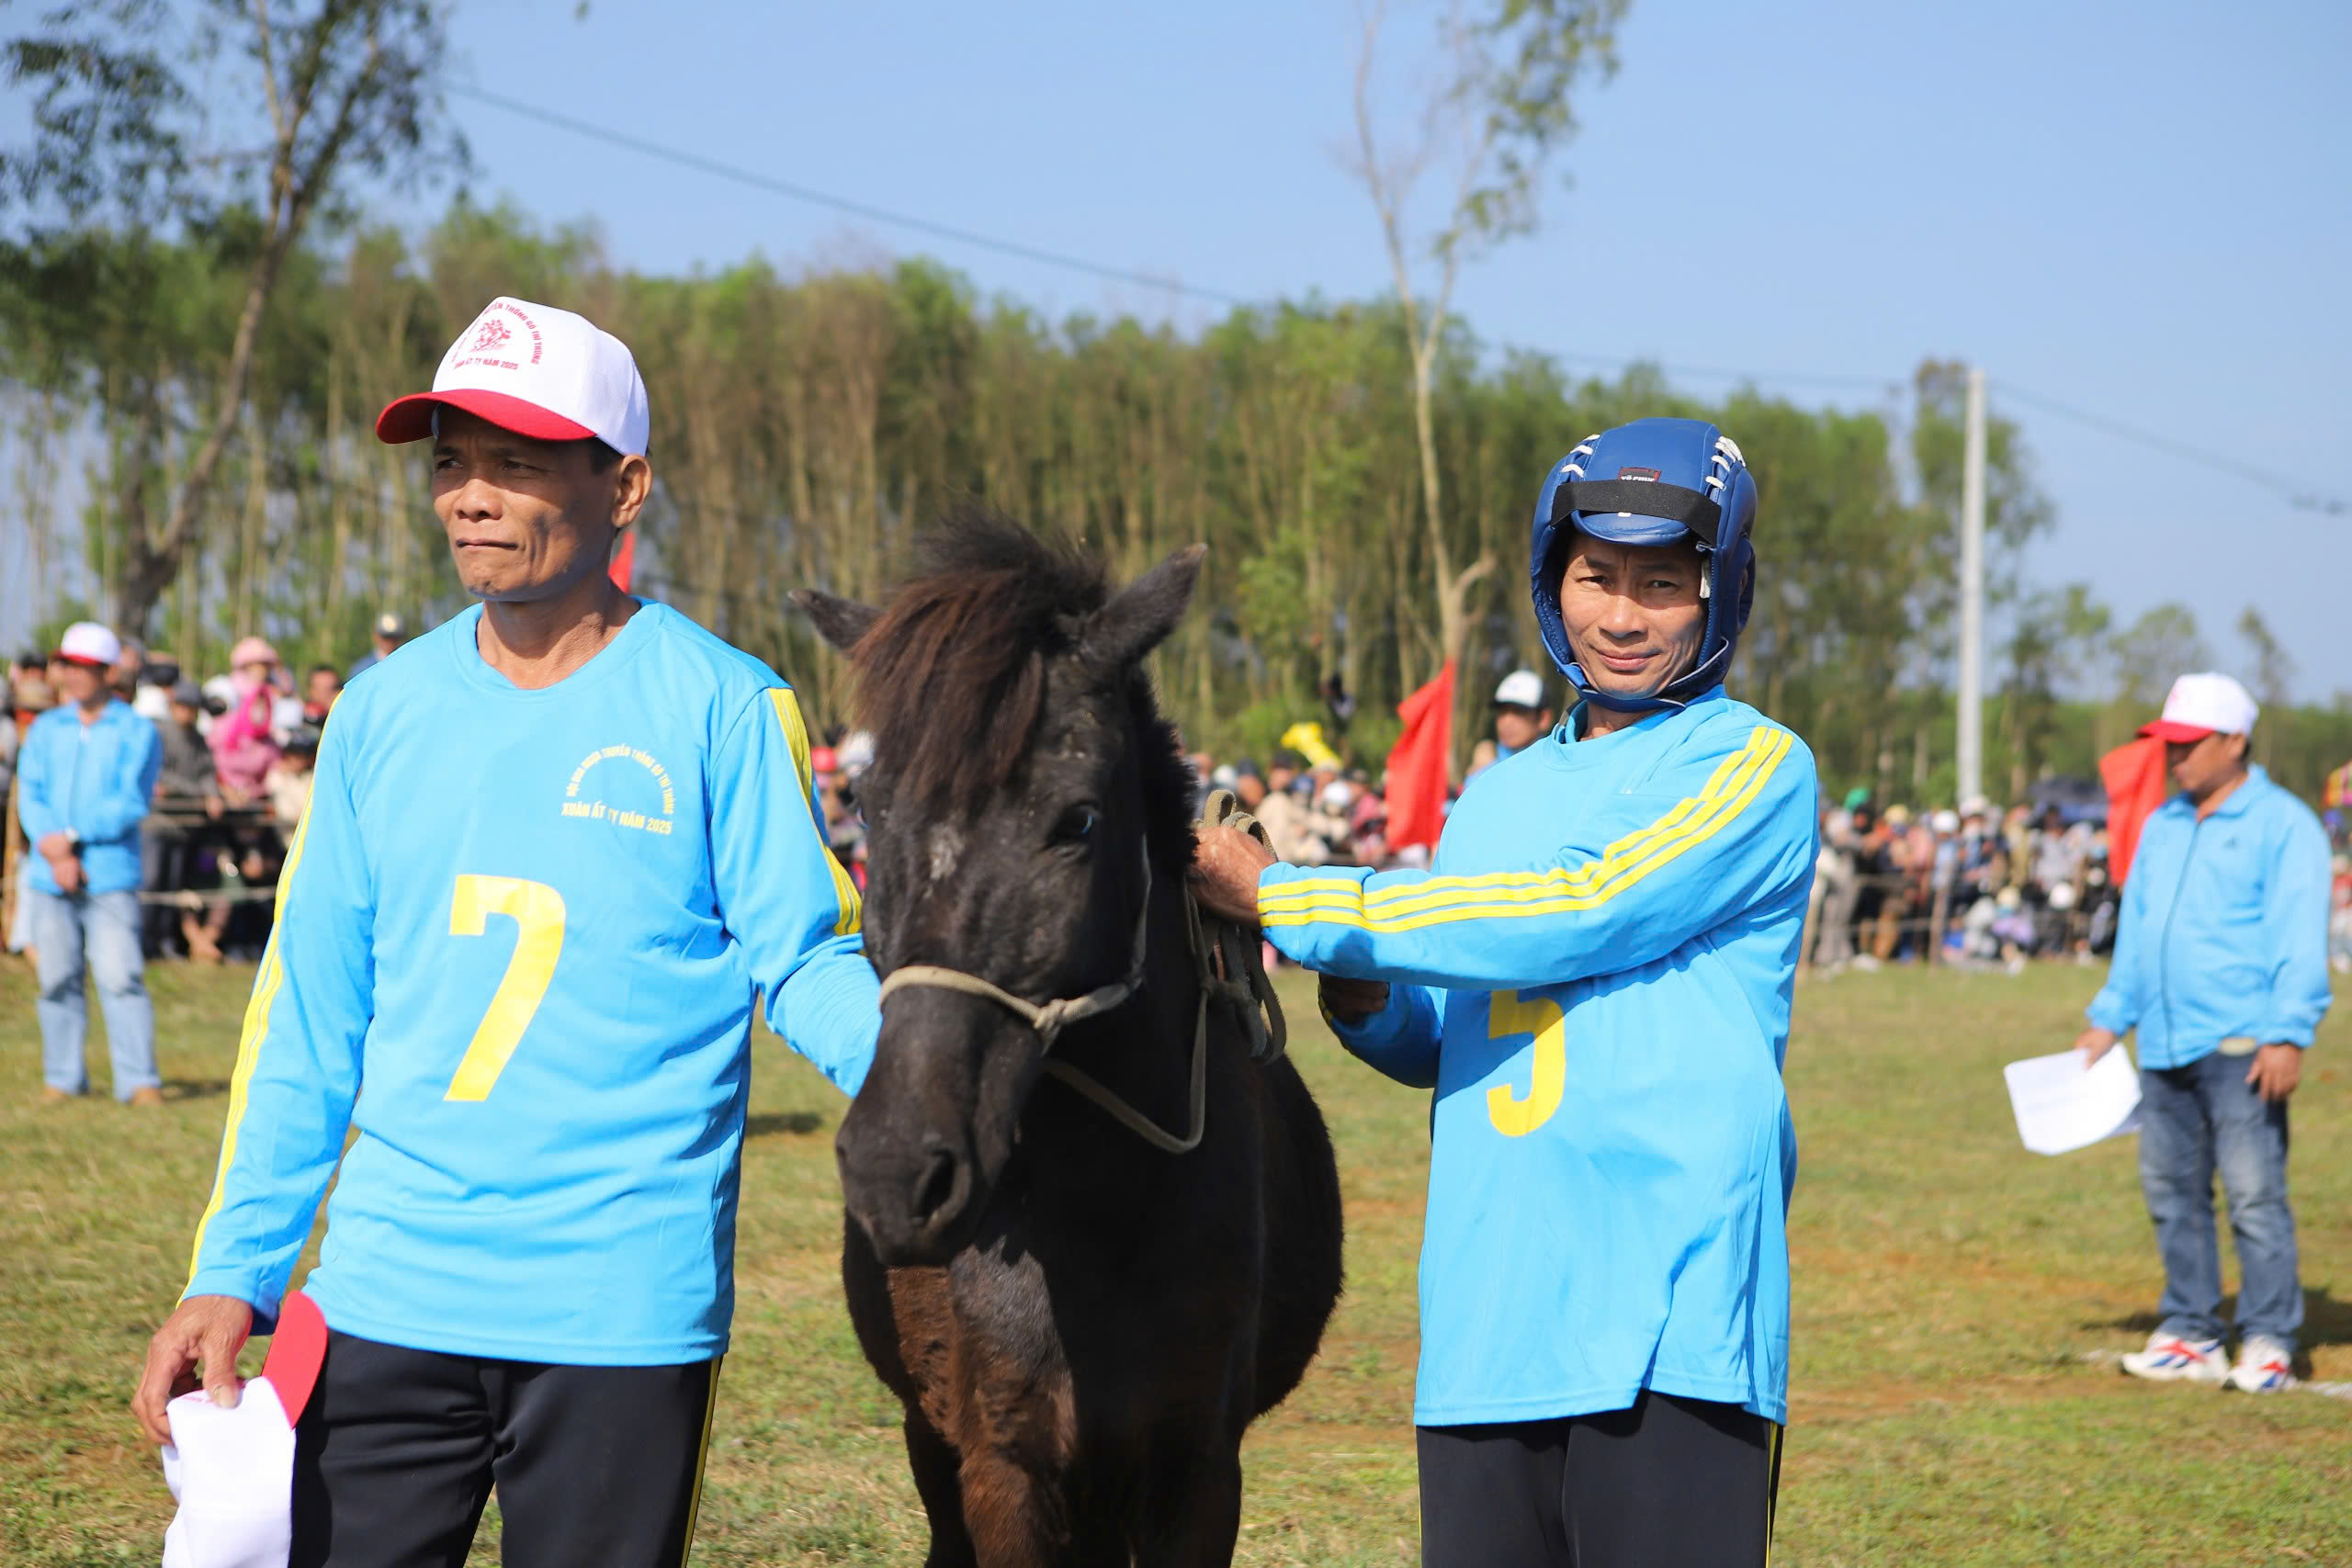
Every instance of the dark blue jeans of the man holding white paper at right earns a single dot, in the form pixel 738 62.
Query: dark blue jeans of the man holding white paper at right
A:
pixel 2193 1123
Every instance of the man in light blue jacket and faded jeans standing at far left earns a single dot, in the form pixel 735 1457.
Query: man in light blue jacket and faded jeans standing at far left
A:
pixel 86 782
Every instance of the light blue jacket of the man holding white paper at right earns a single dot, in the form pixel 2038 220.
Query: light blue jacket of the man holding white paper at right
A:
pixel 2224 930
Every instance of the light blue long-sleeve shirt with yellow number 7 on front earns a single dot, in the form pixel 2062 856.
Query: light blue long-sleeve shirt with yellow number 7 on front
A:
pixel 519 946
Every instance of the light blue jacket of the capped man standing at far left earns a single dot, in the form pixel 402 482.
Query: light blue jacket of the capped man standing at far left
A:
pixel 95 779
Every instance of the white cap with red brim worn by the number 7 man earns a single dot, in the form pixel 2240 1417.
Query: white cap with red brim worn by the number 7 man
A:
pixel 540 373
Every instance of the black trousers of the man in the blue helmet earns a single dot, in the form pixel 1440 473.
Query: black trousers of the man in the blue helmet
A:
pixel 1666 1485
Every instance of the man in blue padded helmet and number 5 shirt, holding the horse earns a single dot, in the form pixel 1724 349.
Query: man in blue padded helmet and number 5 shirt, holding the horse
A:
pixel 1596 979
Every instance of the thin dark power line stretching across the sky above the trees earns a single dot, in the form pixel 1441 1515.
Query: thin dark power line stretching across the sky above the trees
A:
pixel 2299 497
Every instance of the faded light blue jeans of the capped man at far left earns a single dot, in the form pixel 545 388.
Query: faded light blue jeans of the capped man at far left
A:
pixel 107 930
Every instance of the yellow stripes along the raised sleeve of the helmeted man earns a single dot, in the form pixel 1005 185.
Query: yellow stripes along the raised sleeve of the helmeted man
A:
pixel 1549 892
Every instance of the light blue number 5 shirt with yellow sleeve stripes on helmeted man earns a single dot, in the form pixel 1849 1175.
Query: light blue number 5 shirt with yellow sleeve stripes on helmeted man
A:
pixel 1596 979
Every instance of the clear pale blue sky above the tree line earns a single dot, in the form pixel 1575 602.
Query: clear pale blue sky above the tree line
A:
pixel 2139 210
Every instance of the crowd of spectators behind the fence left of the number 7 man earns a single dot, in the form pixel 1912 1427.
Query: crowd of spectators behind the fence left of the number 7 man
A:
pixel 236 777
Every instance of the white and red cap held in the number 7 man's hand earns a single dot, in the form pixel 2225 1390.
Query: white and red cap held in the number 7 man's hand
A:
pixel 234 1468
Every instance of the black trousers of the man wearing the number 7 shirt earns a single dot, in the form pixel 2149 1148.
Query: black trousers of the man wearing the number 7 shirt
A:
pixel 596 1466
